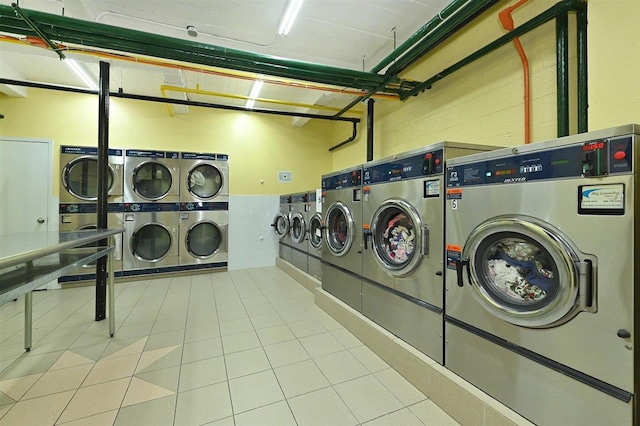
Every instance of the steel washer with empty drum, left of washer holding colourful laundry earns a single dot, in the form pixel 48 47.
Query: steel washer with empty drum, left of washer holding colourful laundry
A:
pixel 342 250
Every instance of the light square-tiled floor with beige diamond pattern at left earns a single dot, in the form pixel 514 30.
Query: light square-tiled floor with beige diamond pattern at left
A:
pixel 245 347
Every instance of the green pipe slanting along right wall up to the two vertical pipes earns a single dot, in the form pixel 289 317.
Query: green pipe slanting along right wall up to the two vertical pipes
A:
pixel 544 17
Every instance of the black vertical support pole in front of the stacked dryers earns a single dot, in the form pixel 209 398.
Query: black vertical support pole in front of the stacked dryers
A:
pixel 103 166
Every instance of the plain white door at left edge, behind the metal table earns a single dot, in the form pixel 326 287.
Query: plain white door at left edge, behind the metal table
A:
pixel 25 185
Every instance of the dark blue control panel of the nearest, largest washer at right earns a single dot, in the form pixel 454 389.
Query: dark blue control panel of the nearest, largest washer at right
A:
pixel 594 158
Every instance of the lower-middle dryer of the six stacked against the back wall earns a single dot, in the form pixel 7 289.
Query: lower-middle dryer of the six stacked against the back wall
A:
pixel 151 232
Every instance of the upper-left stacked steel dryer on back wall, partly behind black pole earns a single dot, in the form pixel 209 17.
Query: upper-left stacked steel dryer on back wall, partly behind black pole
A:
pixel 79 174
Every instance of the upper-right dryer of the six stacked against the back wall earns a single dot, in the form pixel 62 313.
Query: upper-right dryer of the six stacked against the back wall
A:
pixel 205 177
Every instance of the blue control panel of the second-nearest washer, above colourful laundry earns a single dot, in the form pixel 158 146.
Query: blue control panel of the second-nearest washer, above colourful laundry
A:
pixel 416 166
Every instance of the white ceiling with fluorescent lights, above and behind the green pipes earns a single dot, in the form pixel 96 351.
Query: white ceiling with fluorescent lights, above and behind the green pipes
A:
pixel 351 34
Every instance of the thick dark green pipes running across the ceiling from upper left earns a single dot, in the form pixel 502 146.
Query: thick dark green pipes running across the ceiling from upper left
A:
pixel 85 33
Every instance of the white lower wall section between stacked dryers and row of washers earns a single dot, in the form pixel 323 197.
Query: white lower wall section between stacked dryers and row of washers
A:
pixel 252 242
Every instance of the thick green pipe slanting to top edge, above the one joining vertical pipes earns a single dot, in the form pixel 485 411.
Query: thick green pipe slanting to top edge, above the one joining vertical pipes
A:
pixel 440 34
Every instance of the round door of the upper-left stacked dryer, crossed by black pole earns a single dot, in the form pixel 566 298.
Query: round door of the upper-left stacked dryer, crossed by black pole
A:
pixel 80 178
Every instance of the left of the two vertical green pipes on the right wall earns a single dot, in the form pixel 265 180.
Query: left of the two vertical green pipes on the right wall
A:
pixel 562 73
